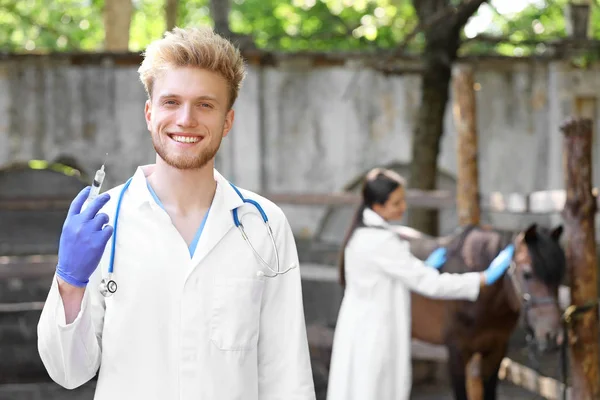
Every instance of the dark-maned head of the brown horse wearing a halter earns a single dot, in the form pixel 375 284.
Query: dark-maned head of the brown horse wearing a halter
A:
pixel 537 269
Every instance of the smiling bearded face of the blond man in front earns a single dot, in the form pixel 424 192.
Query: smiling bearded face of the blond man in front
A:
pixel 188 116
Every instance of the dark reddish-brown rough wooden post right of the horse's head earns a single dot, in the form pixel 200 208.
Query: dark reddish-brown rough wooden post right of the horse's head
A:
pixel 579 217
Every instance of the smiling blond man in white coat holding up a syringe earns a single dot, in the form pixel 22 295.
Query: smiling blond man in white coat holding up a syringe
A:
pixel 195 314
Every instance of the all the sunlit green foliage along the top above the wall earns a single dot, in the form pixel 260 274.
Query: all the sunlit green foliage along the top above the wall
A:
pixel 283 25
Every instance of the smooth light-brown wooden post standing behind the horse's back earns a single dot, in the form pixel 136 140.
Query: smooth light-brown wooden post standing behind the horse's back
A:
pixel 464 110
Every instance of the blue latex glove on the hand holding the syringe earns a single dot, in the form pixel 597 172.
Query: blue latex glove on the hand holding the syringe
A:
pixel 83 239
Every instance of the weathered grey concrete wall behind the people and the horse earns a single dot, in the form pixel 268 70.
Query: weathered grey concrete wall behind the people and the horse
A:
pixel 299 126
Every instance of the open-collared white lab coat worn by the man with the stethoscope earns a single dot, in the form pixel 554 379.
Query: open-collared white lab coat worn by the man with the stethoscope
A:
pixel 206 328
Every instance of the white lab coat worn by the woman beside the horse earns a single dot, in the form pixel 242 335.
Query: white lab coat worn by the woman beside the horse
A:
pixel 371 348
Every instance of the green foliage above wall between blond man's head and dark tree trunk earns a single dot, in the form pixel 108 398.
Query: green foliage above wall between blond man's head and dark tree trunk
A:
pixel 323 24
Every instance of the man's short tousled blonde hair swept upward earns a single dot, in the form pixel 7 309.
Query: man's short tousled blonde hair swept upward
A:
pixel 194 47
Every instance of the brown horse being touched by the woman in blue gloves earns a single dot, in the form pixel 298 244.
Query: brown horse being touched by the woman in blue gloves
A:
pixel 529 289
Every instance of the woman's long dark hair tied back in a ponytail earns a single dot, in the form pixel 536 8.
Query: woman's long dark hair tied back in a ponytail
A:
pixel 376 189
